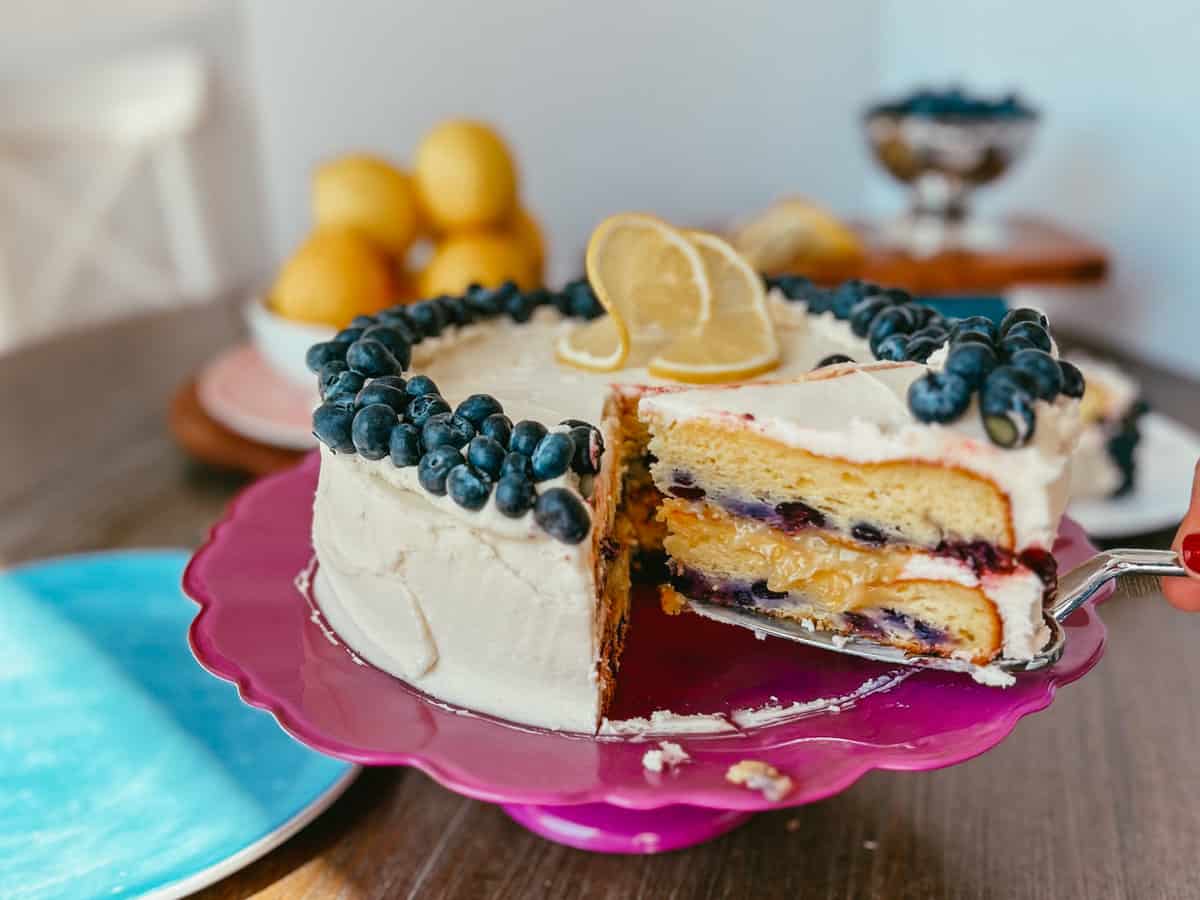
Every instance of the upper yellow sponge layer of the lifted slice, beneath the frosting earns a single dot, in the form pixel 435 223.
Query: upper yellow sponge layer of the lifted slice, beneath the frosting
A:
pixel 921 502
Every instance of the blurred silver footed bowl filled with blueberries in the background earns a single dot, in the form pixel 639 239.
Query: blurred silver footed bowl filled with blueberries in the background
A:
pixel 945 143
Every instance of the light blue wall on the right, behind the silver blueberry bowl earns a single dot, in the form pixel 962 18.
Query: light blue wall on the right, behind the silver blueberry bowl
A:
pixel 1119 152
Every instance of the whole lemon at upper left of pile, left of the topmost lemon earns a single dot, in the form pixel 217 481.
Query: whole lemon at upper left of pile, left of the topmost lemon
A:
pixel 369 195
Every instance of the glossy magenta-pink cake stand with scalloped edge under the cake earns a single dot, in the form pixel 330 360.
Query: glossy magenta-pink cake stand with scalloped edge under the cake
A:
pixel 256 629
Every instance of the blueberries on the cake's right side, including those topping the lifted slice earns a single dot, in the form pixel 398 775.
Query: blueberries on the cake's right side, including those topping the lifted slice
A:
pixel 1009 367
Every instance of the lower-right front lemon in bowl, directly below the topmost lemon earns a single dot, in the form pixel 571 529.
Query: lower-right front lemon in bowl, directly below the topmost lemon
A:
pixel 488 259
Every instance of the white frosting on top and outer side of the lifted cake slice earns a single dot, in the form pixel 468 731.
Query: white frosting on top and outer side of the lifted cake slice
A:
pixel 862 415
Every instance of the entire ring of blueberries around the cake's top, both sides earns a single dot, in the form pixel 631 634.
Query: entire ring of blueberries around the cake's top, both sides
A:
pixel 369 407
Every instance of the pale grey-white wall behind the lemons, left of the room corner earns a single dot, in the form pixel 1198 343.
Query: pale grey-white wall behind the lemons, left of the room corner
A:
pixel 692 109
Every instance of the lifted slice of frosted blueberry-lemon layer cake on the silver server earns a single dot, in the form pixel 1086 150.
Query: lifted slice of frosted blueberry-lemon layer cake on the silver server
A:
pixel 825 500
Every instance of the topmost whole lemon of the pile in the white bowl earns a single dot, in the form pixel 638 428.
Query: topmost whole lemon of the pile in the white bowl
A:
pixel 465 177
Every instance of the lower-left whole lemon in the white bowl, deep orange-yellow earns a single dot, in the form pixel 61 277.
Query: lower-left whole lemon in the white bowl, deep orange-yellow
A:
pixel 334 277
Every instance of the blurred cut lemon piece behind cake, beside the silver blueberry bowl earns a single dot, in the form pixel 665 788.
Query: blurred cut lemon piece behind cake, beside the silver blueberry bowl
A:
pixel 794 233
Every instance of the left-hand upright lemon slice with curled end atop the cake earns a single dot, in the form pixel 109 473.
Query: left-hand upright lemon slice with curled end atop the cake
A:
pixel 653 285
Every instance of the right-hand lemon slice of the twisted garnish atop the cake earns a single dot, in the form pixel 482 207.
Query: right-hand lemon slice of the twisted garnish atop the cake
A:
pixel 737 341
